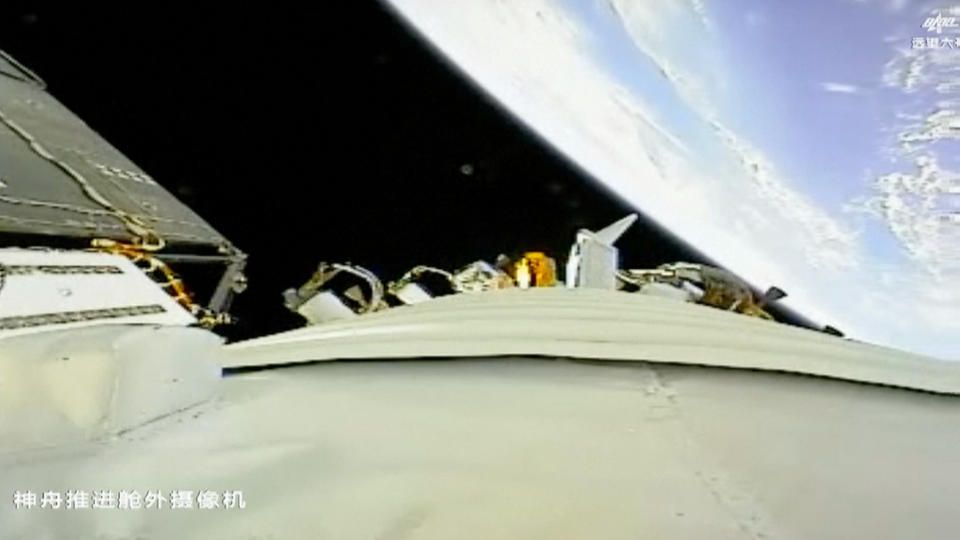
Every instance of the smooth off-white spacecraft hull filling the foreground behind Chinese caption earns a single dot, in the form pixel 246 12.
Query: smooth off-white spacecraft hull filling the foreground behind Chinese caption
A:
pixel 520 448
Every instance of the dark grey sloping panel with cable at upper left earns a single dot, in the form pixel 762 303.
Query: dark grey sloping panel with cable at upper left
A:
pixel 39 197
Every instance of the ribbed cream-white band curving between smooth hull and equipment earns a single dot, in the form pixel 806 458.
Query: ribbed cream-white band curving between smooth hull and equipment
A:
pixel 595 324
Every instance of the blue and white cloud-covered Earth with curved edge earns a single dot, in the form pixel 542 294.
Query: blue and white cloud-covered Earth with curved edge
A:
pixel 812 145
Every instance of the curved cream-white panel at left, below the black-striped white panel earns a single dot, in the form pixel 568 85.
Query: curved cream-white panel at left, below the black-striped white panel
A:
pixel 64 387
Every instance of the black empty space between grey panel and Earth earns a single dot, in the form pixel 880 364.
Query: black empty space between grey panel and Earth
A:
pixel 317 134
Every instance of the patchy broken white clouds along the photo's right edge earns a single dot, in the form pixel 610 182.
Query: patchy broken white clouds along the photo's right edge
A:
pixel 919 207
